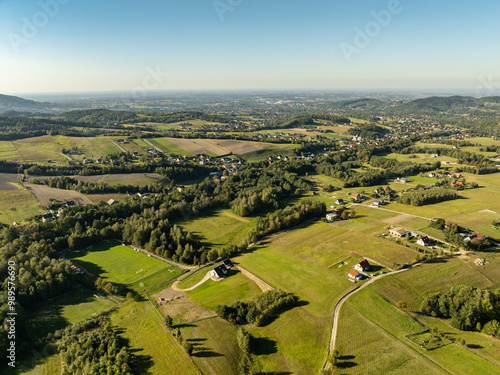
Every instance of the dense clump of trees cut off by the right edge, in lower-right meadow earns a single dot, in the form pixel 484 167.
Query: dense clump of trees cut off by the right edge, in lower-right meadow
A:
pixel 469 308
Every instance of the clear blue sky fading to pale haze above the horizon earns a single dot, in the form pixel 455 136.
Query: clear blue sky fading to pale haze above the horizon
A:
pixel 100 45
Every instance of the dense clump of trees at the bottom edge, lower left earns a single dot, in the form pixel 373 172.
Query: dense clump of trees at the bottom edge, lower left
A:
pixel 92 347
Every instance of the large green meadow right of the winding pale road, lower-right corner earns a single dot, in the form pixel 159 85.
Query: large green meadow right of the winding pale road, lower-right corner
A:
pixel 385 349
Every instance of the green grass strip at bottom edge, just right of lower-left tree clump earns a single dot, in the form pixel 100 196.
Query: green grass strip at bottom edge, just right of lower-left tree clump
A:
pixel 155 349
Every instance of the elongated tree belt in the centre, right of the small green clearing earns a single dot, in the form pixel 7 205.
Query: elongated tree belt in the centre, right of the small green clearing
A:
pixel 286 218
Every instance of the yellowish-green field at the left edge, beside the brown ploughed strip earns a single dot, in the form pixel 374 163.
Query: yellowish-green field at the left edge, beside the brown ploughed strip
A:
pixel 17 205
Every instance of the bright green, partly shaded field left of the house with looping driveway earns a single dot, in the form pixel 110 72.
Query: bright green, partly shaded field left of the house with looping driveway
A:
pixel 122 265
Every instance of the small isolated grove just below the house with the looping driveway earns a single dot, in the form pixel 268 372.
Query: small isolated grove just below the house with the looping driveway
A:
pixel 258 311
